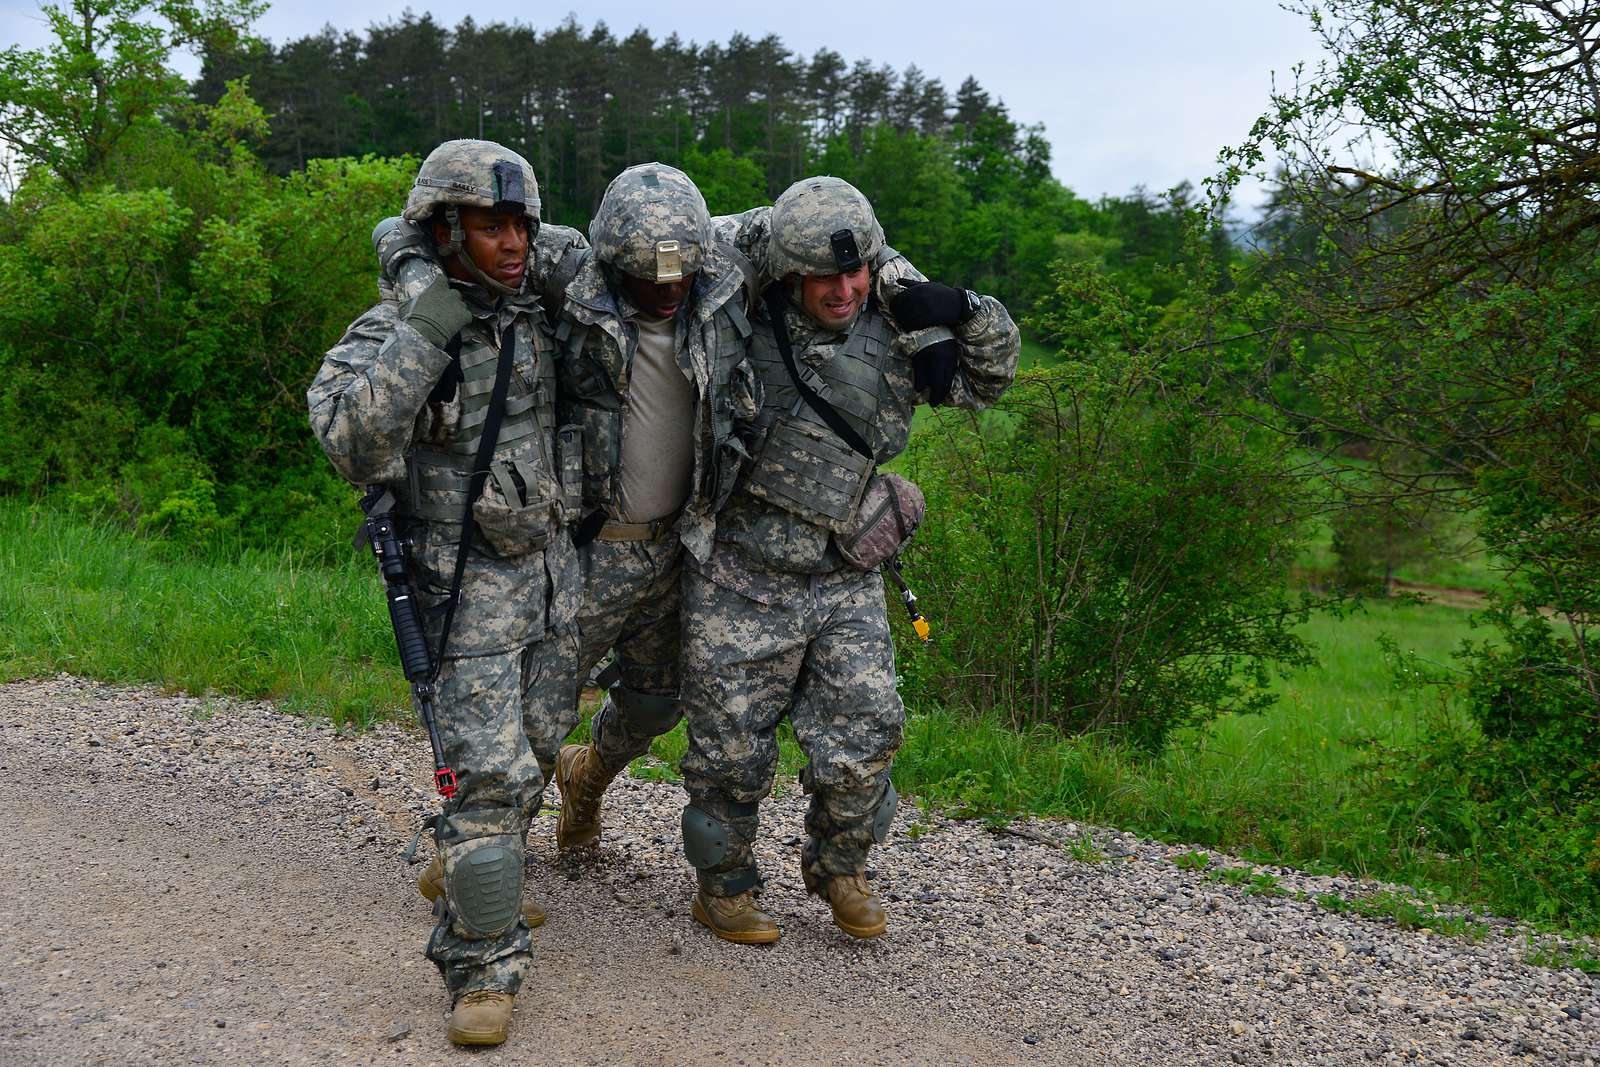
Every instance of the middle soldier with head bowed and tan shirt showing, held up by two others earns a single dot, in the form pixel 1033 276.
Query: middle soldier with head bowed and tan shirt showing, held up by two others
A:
pixel 655 380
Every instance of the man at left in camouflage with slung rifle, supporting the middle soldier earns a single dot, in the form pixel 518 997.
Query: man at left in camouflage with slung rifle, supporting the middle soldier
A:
pixel 404 402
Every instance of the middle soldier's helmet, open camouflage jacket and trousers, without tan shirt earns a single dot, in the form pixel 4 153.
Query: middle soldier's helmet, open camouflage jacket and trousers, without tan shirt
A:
pixel 633 570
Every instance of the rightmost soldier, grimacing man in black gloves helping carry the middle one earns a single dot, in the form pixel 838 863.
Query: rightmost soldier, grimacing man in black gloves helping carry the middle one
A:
pixel 775 623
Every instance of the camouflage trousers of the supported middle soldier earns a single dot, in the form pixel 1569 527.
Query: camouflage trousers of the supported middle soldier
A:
pixel 631 605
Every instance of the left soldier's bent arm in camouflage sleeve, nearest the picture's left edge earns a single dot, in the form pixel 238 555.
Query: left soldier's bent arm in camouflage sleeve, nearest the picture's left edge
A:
pixel 369 394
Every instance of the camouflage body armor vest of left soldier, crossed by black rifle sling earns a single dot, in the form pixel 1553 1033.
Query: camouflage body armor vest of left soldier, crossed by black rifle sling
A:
pixel 524 471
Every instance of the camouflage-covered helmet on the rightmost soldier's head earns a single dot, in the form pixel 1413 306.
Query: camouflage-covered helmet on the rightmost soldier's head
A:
pixel 823 226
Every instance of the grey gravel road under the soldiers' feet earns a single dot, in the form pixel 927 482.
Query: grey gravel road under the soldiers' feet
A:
pixel 209 882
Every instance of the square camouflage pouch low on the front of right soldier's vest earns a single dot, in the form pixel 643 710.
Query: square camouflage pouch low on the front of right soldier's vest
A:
pixel 807 471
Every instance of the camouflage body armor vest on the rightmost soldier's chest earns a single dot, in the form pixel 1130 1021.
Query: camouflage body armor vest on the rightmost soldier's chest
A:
pixel 802 466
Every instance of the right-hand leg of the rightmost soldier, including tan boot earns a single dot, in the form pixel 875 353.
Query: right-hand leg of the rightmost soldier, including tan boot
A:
pixel 849 719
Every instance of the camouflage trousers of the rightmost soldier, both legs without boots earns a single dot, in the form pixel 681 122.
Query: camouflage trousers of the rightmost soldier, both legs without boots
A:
pixel 820 653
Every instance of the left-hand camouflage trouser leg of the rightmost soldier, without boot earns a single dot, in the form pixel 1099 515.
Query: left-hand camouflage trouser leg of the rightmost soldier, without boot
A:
pixel 740 666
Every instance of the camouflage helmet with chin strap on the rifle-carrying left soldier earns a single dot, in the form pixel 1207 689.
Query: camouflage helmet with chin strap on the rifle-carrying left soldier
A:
pixel 473 175
